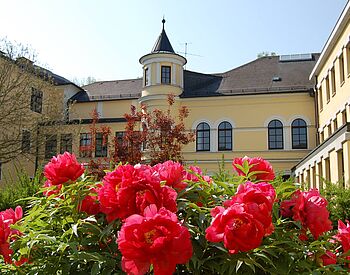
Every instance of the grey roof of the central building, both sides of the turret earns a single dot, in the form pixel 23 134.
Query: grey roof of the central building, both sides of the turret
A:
pixel 265 75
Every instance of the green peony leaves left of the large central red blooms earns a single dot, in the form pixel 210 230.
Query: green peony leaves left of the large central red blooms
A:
pixel 59 239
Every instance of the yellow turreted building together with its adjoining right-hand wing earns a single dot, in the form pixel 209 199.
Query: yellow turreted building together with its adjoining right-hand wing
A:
pixel 268 107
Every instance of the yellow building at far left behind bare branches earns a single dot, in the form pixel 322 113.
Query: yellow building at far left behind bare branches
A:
pixel 31 97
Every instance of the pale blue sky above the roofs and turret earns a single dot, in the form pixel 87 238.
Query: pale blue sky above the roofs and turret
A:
pixel 105 39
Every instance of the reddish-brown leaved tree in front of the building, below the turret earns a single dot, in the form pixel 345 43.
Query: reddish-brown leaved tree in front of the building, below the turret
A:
pixel 149 137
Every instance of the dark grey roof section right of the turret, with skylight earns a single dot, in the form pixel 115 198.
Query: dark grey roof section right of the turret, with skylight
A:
pixel 263 75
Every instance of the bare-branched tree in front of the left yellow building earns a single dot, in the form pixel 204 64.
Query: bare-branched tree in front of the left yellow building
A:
pixel 28 100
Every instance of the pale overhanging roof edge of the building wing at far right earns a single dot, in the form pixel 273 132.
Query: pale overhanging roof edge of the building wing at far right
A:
pixel 332 39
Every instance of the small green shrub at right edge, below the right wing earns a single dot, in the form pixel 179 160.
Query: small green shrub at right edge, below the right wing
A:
pixel 338 199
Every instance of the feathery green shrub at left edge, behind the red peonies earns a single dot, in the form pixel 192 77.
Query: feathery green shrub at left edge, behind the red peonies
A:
pixel 16 189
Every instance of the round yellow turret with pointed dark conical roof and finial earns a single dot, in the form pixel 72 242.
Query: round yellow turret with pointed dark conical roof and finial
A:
pixel 162 73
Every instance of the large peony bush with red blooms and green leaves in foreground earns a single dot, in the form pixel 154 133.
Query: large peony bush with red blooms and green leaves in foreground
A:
pixel 169 219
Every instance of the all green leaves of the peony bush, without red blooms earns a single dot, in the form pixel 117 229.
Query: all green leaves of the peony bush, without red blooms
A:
pixel 59 239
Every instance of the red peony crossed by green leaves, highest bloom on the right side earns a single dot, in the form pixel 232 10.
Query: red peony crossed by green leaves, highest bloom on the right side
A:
pixel 259 169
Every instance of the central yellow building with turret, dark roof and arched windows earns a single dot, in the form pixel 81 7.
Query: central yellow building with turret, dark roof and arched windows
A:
pixel 250 110
